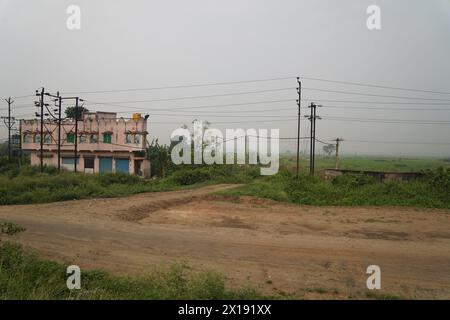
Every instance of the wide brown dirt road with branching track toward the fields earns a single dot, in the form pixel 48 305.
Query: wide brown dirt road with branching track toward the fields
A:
pixel 313 252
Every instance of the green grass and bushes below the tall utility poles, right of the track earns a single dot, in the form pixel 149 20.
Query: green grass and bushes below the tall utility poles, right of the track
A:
pixel 432 190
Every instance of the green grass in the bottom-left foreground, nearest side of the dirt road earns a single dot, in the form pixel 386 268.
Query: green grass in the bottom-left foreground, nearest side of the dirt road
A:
pixel 23 275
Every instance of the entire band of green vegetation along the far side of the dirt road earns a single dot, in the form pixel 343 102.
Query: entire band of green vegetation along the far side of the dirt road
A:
pixel 26 184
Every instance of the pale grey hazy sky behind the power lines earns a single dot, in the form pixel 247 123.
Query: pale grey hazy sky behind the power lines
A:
pixel 145 44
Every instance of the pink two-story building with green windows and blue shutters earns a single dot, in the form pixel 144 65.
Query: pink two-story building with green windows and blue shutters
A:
pixel 105 143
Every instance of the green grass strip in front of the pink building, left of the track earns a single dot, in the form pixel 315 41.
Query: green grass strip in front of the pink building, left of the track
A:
pixel 28 185
